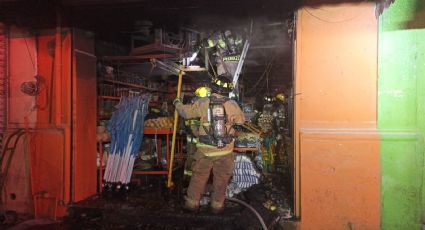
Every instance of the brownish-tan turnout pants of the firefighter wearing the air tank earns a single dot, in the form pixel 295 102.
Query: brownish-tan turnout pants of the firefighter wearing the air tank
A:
pixel 222 168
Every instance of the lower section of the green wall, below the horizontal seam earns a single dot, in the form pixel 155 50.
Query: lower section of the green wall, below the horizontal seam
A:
pixel 400 191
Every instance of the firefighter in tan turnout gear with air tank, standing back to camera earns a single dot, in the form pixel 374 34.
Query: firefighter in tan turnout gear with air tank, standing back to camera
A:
pixel 217 115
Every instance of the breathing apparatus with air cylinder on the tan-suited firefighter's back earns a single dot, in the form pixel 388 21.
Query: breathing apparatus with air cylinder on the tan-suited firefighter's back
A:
pixel 216 130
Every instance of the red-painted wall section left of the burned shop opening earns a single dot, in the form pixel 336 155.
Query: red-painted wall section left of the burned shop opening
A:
pixel 58 158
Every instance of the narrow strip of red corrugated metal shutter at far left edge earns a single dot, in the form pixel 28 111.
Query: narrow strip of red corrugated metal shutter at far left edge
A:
pixel 3 83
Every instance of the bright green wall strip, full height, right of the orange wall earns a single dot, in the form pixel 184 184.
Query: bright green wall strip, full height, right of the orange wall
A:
pixel 401 113
